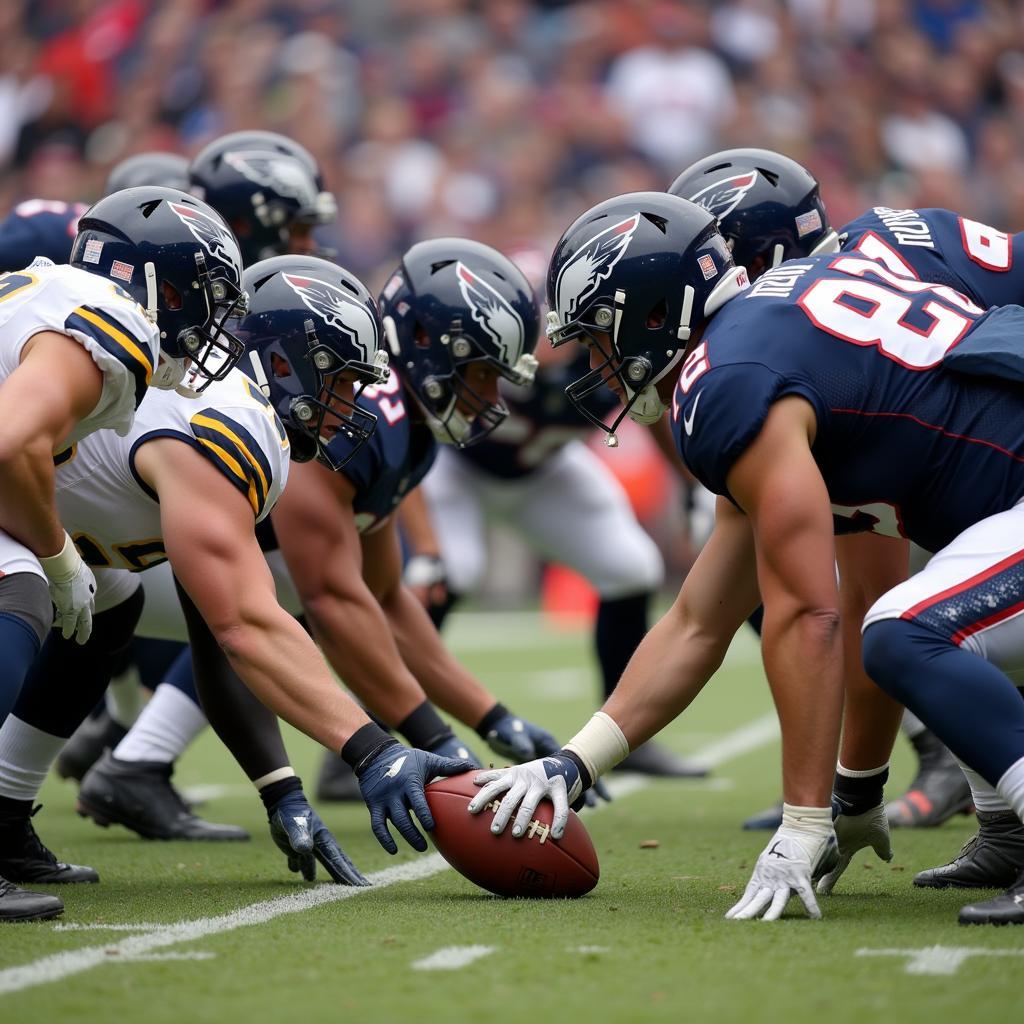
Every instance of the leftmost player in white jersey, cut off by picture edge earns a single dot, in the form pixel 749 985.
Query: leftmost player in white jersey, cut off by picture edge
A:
pixel 153 276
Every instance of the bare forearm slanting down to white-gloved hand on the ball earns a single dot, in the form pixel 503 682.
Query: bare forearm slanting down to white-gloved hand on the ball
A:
pixel 669 669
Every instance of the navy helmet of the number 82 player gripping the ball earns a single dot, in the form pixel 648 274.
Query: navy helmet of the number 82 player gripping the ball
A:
pixel 634 277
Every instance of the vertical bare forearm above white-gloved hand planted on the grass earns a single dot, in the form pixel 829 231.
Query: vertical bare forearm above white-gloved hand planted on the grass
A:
pixel 804 664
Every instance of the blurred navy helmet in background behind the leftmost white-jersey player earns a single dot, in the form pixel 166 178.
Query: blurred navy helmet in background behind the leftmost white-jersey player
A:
pixel 266 187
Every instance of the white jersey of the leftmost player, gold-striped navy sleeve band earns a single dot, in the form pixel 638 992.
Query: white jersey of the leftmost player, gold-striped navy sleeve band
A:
pixel 98 314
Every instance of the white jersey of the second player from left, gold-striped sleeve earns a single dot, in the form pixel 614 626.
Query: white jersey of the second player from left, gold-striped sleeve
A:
pixel 113 516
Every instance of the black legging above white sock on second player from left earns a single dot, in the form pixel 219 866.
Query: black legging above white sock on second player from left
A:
pixel 67 679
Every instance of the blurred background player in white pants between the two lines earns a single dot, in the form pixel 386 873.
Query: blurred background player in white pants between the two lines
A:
pixel 532 473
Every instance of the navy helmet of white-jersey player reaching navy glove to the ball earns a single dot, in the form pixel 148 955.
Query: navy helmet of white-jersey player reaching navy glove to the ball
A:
pixel 310 327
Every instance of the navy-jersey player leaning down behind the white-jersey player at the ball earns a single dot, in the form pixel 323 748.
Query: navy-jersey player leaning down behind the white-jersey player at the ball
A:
pixel 334 544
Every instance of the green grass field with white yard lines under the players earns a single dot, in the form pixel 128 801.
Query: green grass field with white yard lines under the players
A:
pixel 179 931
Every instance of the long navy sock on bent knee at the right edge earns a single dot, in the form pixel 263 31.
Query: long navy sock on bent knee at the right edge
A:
pixel 970 705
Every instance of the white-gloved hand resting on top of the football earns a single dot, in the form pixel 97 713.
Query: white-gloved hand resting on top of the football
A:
pixel 554 779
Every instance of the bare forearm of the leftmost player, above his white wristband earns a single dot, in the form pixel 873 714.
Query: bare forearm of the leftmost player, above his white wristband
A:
pixel 28 510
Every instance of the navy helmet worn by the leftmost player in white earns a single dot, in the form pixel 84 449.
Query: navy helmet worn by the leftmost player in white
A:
pixel 179 260
